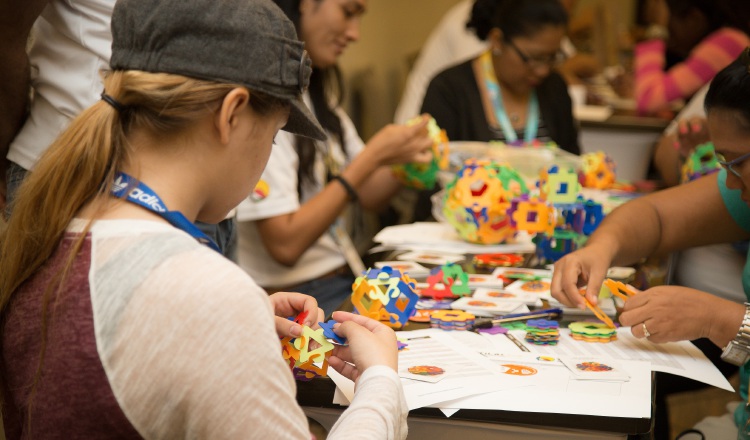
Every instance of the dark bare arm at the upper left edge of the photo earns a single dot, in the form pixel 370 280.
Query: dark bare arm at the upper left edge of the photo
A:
pixel 16 20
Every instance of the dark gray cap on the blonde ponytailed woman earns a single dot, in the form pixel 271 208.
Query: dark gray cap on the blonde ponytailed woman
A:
pixel 248 42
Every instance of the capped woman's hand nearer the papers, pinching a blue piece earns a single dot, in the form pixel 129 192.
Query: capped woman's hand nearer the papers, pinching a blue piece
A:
pixel 369 343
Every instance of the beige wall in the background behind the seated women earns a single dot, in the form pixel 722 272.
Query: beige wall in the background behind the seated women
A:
pixel 394 30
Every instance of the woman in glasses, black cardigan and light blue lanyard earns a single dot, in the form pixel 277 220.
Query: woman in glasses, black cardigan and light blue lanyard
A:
pixel 511 92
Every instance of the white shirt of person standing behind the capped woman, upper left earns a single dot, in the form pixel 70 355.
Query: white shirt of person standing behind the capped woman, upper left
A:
pixel 72 44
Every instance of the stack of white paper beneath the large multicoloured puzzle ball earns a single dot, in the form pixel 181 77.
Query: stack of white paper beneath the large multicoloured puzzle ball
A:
pixel 441 237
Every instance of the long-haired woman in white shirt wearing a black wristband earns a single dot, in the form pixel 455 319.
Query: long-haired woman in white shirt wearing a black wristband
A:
pixel 290 235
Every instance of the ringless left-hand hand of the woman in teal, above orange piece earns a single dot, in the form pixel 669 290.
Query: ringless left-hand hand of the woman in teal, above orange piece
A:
pixel 584 267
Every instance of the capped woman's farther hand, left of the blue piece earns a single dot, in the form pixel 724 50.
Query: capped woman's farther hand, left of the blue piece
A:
pixel 287 304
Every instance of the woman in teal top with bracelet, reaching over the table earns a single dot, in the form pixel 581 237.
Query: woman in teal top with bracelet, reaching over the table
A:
pixel 713 209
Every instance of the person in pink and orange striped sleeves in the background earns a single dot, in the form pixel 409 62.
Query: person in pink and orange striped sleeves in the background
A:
pixel 685 44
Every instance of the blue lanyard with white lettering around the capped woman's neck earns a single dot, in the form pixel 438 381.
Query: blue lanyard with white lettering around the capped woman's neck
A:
pixel 143 196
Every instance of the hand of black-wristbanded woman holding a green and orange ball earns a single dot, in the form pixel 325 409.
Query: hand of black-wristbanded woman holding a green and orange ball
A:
pixel 397 144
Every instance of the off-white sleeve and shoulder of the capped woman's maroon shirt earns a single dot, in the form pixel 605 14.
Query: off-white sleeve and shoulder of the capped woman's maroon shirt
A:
pixel 188 344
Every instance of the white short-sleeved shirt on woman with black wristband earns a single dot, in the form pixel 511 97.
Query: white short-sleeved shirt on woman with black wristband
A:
pixel 281 177
